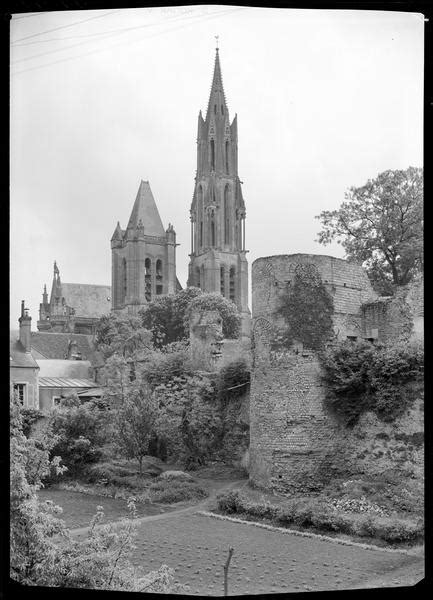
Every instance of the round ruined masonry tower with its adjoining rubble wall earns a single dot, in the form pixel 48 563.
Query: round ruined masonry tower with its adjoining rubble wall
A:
pixel 295 446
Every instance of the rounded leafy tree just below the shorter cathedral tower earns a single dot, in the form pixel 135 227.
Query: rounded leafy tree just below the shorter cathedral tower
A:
pixel 123 335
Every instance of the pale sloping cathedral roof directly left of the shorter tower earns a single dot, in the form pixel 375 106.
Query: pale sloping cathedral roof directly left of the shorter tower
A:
pixel 92 301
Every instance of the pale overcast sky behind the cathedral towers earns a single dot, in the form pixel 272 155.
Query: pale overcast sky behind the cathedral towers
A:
pixel 325 100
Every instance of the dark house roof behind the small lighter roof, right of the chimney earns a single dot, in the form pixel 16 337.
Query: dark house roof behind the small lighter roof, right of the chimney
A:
pixel 47 345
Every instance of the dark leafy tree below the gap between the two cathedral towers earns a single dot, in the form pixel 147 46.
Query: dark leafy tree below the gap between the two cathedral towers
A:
pixel 165 317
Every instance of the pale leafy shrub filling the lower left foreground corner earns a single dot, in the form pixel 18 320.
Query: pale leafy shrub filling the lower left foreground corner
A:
pixel 99 561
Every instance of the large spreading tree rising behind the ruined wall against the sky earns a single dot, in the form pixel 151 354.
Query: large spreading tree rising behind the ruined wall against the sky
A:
pixel 381 226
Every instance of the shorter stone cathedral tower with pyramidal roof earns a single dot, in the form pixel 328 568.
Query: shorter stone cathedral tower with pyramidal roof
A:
pixel 143 256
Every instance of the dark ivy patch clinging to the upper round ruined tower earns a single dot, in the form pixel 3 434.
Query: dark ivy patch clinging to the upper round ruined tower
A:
pixel 307 308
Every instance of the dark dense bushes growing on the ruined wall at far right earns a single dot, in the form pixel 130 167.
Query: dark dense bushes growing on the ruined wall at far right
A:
pixel 361 376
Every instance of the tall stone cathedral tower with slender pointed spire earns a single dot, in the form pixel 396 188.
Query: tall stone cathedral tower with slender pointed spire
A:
pixel 218 256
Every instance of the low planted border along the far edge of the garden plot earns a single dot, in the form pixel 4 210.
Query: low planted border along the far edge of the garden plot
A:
pixel 319 515
